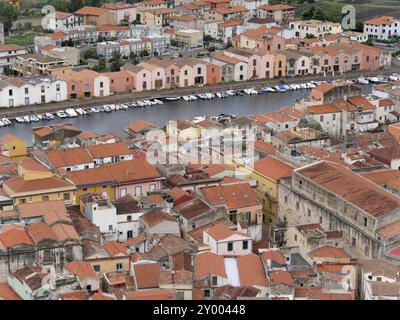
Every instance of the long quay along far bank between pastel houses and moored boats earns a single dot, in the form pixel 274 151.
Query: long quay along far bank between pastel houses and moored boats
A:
pixel 11 113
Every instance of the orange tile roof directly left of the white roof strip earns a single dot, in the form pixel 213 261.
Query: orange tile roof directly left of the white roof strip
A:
pixel 208 263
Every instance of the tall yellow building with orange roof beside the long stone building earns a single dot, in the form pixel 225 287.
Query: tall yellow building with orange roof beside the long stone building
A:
pixel 267 173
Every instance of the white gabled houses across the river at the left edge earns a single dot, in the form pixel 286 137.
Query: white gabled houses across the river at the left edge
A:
pixel 15 92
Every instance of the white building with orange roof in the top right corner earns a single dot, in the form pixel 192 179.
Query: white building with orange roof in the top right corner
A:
pixel 384 28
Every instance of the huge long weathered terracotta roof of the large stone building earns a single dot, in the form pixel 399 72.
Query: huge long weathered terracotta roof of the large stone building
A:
pixel 352 187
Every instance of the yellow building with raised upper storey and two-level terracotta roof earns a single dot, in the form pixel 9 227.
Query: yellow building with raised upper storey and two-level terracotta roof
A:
pixel 35 183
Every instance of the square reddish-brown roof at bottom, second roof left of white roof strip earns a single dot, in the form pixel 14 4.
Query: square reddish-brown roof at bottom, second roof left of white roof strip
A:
pixel 147 275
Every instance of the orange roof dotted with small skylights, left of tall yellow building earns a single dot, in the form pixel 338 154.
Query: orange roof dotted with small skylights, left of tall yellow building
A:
pixel 232 196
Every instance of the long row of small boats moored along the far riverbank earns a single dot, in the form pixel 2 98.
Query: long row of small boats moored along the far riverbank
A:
pixel 76 112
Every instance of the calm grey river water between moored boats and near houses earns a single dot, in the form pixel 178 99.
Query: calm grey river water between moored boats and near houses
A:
pixel 106 122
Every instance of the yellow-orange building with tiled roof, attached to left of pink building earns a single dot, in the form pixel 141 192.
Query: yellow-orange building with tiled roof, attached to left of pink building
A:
pixel 96 180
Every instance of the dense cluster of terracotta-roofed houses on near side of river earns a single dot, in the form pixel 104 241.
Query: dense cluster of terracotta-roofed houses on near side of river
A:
pixel 305 214
